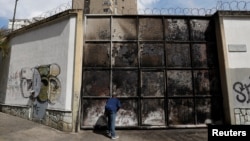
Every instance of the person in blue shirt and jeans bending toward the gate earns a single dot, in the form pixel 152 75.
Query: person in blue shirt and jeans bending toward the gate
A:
pixel 112 106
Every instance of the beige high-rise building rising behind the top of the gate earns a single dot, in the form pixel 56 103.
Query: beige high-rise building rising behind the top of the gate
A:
pixel 106 6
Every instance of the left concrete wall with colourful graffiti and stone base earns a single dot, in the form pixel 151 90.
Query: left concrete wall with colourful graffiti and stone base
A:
pixel 37 79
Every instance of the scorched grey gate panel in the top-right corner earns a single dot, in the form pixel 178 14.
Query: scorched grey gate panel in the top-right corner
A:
pixel 199 29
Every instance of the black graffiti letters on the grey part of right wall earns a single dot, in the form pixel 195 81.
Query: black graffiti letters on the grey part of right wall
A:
pixel 242 91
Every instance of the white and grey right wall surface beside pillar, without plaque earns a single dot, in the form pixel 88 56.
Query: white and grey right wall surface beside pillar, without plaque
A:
pixel 236 32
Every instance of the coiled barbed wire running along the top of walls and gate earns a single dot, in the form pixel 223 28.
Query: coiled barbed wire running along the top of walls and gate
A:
pixel 220 6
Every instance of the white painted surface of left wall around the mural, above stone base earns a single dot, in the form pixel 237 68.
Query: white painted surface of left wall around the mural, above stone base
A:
pixel 45 45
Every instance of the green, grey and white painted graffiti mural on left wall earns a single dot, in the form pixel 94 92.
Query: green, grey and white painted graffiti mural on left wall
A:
pixel 42 86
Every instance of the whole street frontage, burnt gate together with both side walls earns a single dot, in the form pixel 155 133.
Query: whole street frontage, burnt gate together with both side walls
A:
pixel 168 71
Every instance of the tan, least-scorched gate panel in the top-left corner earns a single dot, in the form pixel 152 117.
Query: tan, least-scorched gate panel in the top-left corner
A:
pixel 98 28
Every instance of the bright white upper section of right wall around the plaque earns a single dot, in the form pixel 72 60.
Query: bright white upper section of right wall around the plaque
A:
pixel 237 31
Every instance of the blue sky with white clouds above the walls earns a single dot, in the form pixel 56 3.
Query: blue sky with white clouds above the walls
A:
pixel 26 9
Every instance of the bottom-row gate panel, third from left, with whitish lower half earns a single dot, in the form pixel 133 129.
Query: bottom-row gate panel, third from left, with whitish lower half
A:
pixel 153 112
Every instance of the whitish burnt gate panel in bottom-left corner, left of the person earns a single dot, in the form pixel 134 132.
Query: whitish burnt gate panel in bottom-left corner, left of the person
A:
pixel 92 113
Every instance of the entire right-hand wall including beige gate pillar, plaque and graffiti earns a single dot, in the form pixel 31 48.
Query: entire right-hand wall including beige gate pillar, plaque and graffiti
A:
pixel 235 55
